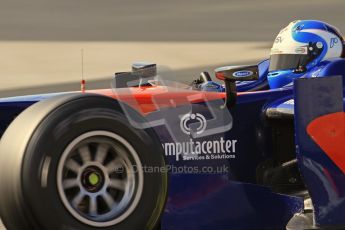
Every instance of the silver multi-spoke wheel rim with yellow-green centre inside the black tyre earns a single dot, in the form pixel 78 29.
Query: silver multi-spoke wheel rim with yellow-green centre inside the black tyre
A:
pixel 100 178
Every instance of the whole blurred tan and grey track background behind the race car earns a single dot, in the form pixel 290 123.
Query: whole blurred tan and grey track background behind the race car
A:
pixel 38 38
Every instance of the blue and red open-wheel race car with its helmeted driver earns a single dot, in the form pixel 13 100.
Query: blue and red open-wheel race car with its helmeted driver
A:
pixel 263 151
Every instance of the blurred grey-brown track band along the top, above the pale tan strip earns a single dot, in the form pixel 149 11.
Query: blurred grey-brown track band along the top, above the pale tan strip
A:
pixel 158 20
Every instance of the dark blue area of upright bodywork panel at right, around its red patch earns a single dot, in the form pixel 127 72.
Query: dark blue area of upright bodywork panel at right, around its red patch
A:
pixel 325 180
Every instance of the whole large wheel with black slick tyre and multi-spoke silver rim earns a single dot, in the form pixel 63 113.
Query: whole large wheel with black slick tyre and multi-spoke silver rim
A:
pixel 75 162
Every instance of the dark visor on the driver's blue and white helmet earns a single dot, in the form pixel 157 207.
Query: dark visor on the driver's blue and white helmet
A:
pixel 288 61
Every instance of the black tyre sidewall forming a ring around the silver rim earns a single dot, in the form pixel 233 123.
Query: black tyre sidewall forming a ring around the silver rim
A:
pixel 53 135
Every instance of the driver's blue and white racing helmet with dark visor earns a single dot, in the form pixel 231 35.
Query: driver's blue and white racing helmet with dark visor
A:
pixel 301 46
